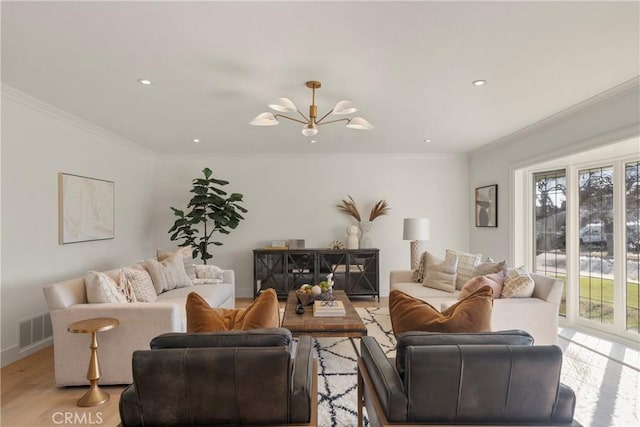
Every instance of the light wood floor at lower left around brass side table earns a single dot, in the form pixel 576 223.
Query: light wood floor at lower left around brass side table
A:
pixel 30 397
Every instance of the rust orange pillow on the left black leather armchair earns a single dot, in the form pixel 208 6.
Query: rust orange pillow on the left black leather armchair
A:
pixel 264 312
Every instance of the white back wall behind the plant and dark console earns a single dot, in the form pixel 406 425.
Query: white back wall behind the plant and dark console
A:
pixel 294 197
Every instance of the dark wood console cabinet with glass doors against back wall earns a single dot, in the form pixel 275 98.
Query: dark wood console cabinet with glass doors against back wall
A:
pixel 355 271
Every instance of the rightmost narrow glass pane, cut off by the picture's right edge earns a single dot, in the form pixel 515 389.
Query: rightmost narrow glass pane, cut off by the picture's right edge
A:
pixel 632 235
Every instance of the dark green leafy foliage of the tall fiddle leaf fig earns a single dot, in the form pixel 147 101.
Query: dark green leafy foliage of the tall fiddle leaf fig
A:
pixel 210 210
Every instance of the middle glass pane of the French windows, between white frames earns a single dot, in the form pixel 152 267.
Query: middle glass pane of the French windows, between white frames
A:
pixel 596 244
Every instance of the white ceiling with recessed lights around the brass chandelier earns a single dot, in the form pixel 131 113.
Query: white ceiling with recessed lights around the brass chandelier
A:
pixel 407 65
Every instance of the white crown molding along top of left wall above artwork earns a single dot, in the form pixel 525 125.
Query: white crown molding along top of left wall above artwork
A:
pixel 13 94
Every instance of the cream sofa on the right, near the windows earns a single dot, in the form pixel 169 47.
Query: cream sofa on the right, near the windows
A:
pixel 537 315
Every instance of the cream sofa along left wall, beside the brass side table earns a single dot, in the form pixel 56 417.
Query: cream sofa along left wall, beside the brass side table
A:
pixel 139 323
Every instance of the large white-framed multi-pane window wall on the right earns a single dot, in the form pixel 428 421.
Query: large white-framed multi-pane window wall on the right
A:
pixel 585 229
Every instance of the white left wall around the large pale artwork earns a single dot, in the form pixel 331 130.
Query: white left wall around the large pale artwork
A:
pixel 37 143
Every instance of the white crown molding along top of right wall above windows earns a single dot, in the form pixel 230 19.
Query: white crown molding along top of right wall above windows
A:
pixel 617 91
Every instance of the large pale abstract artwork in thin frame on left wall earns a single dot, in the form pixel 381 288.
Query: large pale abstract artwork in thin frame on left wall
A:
pixel 86 209
